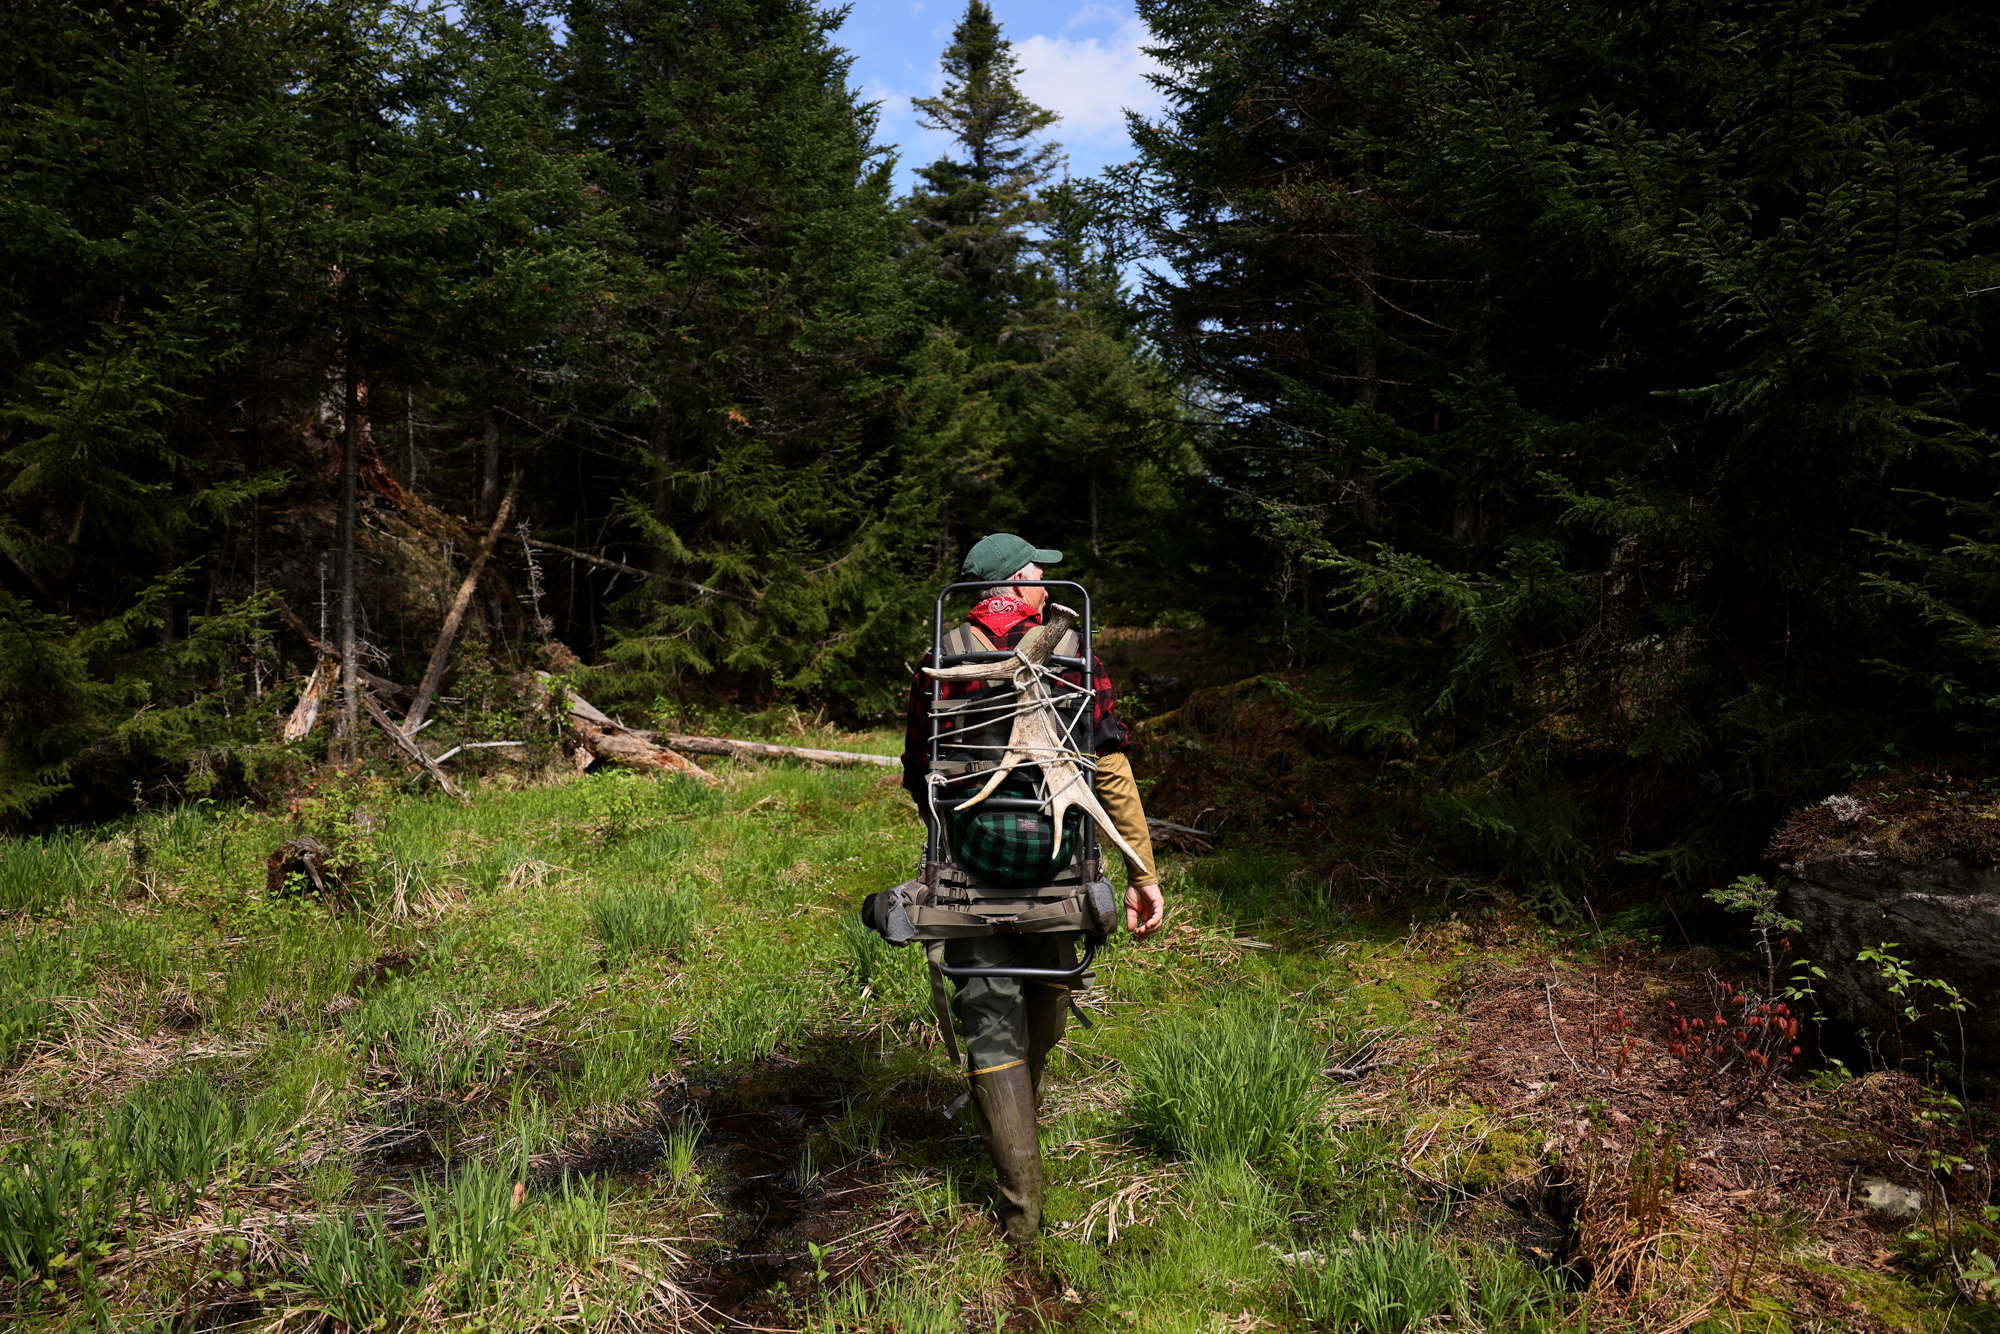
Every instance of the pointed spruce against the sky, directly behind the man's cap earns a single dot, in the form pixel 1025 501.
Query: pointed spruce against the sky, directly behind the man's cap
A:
pixel 1079 411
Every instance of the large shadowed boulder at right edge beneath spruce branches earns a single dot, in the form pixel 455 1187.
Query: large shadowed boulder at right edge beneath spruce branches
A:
pixel 1909 859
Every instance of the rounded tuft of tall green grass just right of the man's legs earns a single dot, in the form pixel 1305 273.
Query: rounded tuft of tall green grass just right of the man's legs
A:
pixel 1239 1087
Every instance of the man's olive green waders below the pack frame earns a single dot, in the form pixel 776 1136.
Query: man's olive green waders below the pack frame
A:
pixel 1009 1029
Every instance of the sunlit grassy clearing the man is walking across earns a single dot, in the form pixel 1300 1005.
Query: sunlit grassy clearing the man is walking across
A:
pixel 615 1053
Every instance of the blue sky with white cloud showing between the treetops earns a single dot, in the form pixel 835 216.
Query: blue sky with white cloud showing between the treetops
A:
pixel 1079 59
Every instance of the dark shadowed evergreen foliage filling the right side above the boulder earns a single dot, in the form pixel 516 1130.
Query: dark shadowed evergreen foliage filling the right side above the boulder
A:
pixel 1577 365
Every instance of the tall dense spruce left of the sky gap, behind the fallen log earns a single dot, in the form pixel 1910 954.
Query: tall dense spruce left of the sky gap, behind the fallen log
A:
pixel 751 369
